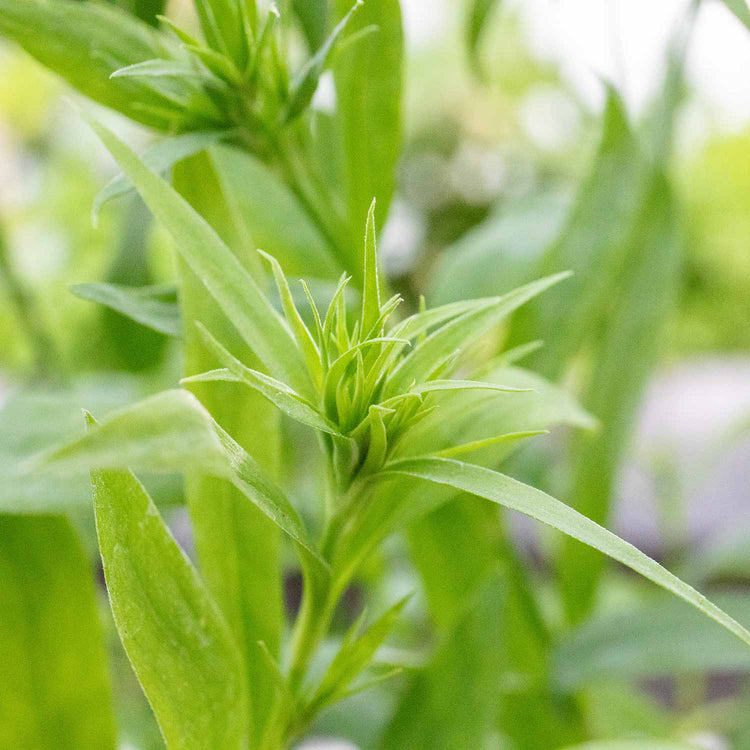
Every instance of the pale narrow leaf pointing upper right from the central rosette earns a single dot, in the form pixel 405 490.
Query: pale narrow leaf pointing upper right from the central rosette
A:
pixel 460 332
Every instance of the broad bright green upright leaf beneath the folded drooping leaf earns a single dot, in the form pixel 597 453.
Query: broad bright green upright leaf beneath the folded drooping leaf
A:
pixel 175 637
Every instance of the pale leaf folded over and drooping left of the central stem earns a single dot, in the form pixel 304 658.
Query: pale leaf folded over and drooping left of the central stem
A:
pixel 172 432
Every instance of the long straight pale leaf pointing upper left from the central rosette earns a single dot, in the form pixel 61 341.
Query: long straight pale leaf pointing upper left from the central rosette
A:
pixel 227 280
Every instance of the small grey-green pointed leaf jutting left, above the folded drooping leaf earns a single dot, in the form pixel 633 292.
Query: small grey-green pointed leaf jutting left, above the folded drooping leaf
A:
pixel 153 306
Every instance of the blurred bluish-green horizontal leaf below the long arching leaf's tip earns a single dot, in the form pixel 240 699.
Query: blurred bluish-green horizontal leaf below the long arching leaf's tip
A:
pixel 651 640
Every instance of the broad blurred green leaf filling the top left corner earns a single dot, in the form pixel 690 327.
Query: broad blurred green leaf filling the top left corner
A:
pixel 85 43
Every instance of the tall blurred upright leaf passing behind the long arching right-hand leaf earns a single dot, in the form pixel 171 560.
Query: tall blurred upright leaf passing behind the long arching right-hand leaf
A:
pixel 624 357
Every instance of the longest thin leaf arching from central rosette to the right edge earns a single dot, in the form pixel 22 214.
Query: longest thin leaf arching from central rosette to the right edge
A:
pixel 510 493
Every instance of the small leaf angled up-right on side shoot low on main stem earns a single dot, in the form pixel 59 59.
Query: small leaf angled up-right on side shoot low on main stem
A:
pixel 354 656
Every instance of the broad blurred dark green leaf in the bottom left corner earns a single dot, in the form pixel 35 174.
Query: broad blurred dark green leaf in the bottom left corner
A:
pixel 54 682
